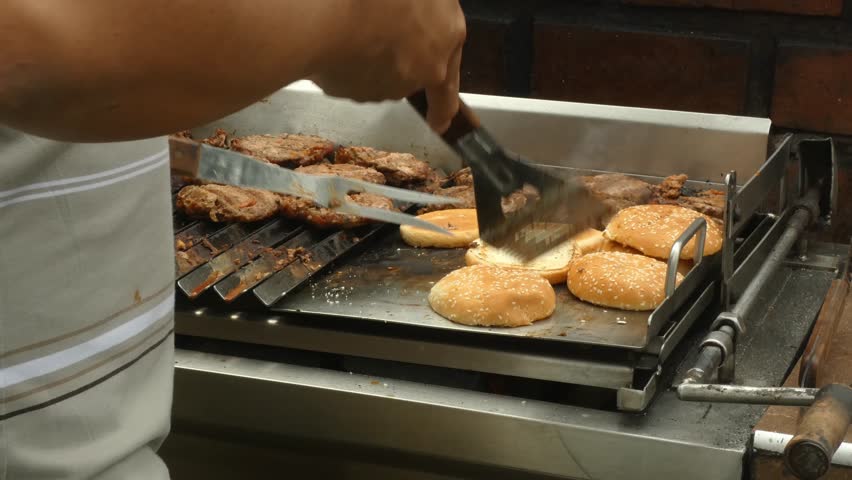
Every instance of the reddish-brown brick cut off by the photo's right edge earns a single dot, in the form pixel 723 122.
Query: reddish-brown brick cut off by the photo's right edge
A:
pixel 812 89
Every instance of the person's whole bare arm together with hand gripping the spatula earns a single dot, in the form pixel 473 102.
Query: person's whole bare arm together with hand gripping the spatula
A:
pixel 105 70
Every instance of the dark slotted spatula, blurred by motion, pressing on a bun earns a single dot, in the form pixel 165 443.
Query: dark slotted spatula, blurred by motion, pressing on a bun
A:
pixel 561 207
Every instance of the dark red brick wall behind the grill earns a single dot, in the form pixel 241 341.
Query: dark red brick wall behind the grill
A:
pixel 790 60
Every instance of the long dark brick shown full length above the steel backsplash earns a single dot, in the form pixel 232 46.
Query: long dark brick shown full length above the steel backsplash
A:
pixel 640 69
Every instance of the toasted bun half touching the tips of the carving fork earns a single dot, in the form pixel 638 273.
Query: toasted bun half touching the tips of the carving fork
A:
pixel 460 222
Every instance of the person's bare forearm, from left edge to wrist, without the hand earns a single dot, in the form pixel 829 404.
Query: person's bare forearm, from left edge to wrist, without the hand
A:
pixel 112 70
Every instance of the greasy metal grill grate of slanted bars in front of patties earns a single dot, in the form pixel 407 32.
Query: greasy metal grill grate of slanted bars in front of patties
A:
pixel 268 259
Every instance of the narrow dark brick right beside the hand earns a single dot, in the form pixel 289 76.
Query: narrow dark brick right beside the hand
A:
pixel 484 58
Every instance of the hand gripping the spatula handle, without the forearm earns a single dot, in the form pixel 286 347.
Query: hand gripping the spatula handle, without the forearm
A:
pixel 397 48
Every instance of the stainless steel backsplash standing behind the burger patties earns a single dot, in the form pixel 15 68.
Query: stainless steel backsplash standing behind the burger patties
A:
pixel 599 137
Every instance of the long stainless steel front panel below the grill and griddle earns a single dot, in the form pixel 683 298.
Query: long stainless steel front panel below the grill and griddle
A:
pixel 336 409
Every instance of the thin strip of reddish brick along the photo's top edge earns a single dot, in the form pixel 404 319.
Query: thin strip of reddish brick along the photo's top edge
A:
pixel 796 7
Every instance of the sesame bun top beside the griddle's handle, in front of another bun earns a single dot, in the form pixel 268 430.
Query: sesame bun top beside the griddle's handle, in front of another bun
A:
pixel 619 280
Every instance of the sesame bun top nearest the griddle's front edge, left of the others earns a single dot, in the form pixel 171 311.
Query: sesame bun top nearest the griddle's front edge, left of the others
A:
pixel 485 295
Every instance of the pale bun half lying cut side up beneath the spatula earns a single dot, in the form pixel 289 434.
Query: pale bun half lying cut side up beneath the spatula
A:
pixel 552 265
